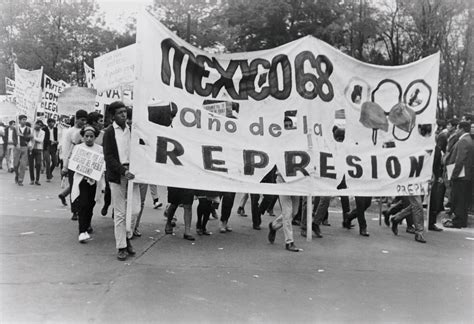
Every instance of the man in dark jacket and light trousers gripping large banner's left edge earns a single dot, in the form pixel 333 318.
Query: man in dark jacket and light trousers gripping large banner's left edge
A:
pixel 117 141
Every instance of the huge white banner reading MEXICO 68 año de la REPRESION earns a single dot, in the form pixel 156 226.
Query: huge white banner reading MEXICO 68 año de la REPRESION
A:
pixel 280 110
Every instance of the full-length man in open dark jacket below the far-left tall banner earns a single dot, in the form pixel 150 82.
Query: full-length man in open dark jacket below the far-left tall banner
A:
pixel 20 159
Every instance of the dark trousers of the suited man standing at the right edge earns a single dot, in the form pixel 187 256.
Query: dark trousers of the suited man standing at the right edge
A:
pixel 461 195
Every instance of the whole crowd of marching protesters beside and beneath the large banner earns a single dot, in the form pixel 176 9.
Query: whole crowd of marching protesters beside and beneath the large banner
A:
pixel 39 146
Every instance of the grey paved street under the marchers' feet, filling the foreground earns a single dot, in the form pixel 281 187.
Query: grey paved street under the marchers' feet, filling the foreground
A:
pixel 238 277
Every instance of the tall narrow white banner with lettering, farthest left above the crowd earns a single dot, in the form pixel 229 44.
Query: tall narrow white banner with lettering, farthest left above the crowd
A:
pixel 27 91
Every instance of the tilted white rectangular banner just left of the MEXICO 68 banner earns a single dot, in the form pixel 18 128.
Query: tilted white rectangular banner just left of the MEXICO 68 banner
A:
pixel 115 69
